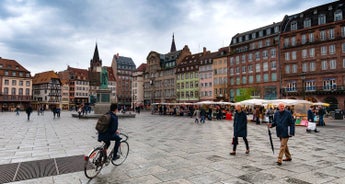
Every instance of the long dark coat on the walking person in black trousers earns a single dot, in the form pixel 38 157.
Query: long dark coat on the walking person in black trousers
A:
pixel 240 124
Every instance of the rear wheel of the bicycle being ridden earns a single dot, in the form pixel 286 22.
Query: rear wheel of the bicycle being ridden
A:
pixel 93 163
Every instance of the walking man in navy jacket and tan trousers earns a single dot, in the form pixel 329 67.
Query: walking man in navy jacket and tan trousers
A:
pixel 283 121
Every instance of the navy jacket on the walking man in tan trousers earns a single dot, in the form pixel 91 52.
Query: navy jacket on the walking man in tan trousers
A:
pixel 282 121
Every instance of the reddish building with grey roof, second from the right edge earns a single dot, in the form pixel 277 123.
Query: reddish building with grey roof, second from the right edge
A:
pixel 253 63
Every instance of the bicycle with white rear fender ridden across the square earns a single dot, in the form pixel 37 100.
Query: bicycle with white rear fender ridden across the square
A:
pixel 95 160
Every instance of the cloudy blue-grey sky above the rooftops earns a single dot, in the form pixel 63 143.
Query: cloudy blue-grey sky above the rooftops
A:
pixel 47 35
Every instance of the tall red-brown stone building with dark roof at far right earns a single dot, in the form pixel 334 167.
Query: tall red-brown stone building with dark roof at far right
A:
pixel 312 48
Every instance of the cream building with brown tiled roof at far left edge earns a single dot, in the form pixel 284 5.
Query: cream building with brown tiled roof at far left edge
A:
pixel 15 85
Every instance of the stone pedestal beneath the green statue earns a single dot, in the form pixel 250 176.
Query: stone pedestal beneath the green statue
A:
pixel 103 101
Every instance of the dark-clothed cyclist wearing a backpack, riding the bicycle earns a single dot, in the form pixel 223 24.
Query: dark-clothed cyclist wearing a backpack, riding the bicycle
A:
pixel 112 132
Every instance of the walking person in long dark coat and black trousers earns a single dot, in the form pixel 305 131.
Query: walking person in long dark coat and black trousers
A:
pixel 240 129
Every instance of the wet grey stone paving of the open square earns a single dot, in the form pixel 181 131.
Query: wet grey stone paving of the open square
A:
pixel 172 150
